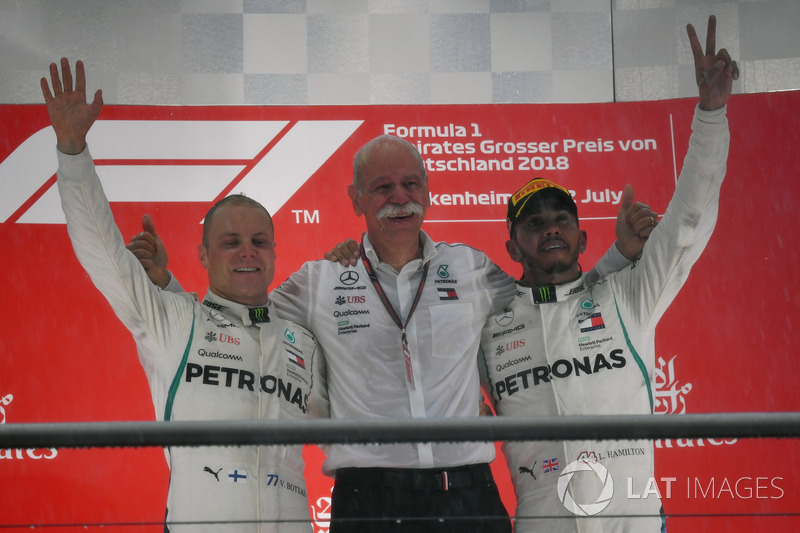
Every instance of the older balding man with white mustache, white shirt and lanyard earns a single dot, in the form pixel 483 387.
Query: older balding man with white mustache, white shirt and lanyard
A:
pixel 400 328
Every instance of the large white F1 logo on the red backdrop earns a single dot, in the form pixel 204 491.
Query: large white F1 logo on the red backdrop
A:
pixel 175 161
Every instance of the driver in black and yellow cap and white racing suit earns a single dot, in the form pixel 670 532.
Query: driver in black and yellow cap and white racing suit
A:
pixel 567 346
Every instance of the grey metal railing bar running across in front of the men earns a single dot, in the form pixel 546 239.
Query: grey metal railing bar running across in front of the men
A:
pixel 382 431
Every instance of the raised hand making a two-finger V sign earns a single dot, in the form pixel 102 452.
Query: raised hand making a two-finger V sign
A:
pixel 715 71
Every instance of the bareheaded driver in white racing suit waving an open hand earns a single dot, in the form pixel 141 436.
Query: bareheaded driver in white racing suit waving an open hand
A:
pixel 229 357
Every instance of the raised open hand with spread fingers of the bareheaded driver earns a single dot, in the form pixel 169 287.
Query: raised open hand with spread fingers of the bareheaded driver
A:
pixel 70 115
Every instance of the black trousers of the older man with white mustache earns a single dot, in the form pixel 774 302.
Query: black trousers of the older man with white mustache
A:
pixel 396 500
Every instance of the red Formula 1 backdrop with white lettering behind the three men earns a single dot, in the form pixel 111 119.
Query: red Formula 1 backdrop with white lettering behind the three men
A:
pixel 725 345
